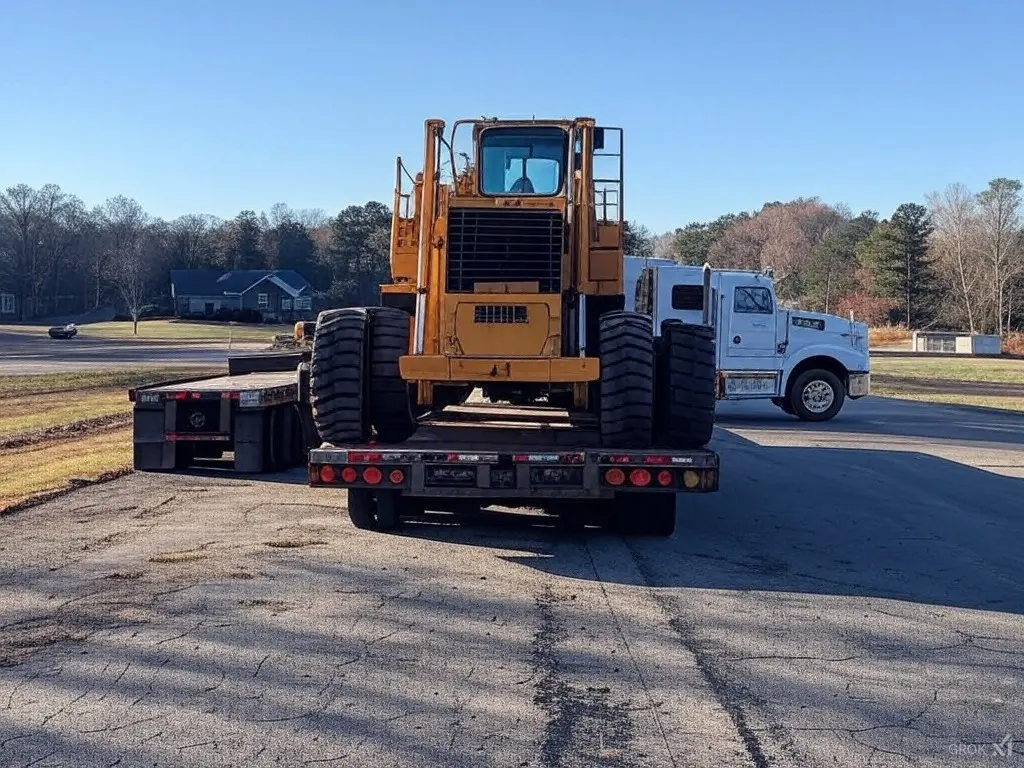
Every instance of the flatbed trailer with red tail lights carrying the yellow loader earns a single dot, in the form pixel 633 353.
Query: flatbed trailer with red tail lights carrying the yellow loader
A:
pixel 467 457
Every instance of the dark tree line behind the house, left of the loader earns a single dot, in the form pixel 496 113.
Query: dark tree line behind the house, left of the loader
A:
pixel 58 258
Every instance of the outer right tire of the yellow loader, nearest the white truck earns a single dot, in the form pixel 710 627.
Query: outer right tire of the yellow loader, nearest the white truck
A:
pixel 687 386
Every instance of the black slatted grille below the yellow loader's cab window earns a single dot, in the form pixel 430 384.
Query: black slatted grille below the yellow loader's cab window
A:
pixel 502 246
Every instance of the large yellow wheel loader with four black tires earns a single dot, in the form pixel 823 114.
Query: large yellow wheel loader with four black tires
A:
pixel 506 277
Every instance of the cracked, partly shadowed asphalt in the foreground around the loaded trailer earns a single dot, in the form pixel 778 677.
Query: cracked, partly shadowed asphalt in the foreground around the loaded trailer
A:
pixel 854 596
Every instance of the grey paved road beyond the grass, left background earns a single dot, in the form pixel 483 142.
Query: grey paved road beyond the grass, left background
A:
pixel 27 354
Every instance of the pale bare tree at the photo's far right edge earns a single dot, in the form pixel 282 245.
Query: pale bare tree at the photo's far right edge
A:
pixel 1003 242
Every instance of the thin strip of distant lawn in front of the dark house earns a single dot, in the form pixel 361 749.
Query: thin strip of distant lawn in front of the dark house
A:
pixel 167 330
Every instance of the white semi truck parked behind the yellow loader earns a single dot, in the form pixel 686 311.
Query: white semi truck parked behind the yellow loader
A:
pixel 806 363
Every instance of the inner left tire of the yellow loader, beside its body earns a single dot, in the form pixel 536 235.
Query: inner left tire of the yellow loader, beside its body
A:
pixel 391 399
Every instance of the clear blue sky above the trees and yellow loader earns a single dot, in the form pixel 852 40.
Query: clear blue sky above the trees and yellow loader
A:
pixel 219 106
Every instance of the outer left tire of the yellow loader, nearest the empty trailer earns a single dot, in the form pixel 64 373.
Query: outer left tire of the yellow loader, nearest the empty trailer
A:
pixel 338 376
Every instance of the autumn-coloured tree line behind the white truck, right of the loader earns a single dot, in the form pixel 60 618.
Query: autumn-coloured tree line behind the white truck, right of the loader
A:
pixel 956 263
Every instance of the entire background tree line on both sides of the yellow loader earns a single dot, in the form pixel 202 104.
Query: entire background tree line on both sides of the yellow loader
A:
pixel 957 263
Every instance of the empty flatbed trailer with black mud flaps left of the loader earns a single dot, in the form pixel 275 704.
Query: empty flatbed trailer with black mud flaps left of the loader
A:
pixel 255 413
